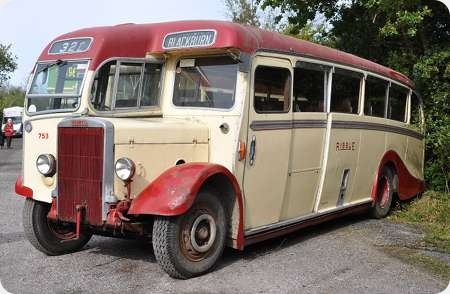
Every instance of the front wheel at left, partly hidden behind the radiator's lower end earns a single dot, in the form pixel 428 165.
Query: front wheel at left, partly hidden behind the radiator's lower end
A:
pixel 48 236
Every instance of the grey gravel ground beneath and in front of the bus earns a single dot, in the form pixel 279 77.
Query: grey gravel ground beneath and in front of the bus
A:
pixel 342 256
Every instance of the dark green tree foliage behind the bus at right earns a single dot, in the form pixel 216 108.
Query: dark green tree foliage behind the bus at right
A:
pixel 411 36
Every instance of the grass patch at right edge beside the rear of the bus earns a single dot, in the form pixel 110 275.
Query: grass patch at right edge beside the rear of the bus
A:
pixel 430 213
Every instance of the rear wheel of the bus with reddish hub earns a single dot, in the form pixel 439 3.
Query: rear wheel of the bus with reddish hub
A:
pixel 385 193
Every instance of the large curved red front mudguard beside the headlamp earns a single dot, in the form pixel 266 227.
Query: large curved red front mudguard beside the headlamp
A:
pixel 175 190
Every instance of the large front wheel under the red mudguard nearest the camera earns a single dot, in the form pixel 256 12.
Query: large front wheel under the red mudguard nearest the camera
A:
pixel 189 245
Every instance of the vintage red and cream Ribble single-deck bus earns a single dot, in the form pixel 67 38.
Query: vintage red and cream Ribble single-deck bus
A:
pixel 202 134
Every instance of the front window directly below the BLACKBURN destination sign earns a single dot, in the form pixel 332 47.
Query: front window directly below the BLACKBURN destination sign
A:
pixel 207 82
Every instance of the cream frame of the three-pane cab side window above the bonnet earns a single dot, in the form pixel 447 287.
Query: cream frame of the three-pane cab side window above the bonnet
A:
pixel 138 107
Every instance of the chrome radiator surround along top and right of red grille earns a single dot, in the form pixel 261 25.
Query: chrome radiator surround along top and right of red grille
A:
pixel 108 153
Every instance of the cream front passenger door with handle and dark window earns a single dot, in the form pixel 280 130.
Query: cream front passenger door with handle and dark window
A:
pixel 268 141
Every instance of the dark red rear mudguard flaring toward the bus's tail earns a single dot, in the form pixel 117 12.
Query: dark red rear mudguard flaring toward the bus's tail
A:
pixel 408 185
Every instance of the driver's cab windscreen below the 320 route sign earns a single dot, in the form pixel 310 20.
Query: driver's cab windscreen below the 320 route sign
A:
pixel 56 86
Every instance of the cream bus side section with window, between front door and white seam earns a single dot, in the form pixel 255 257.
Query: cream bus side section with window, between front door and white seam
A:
pixel 308 138
